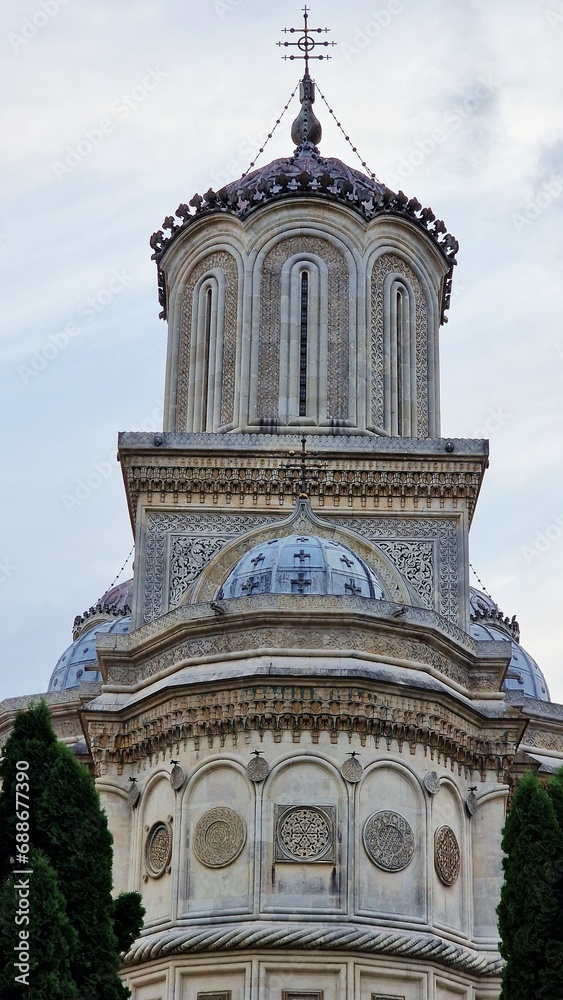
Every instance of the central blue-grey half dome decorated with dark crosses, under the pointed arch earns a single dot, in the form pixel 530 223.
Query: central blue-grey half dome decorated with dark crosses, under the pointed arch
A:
pixel 301 564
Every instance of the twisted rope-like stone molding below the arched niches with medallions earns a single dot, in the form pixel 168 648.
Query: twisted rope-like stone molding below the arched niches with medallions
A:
pixel 313 936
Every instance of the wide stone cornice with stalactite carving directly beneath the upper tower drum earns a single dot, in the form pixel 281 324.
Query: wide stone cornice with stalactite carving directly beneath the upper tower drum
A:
pixel 247 470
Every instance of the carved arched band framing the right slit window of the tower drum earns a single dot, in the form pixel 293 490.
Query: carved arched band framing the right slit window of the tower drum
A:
pixel 380 402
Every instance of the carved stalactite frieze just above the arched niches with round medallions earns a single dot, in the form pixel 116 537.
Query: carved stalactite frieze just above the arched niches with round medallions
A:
pixel 306 710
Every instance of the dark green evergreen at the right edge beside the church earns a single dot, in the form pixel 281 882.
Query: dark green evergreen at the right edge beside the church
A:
pixel 528 912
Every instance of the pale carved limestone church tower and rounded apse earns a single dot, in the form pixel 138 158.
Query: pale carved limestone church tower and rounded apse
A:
pixel 320 779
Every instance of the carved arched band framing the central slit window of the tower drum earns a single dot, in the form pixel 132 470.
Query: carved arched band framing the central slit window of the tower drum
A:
pixel 270 325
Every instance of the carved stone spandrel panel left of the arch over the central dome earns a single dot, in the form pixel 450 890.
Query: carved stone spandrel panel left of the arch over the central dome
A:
pixel 179 546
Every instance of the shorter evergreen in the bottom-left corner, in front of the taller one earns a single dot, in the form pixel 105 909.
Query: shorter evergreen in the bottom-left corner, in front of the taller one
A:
pixel 44 928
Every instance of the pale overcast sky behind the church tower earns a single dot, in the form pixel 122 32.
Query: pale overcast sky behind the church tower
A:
pixel 117 111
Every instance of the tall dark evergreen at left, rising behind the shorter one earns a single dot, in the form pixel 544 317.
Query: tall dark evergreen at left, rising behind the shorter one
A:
pixel 69 825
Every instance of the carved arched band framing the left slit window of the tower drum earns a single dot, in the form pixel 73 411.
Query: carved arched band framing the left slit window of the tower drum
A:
pixel 224 262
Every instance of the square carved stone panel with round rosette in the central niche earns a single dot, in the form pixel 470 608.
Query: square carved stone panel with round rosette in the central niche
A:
pixel 305 833
